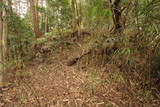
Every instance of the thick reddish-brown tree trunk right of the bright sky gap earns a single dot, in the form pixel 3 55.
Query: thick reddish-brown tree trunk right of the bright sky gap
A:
pixel 35 17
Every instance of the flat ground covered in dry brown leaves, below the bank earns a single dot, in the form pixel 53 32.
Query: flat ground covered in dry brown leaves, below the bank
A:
pixel 57 85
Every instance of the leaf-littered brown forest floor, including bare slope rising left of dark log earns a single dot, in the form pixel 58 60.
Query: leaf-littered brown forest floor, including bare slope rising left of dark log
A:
pixel 52 83
